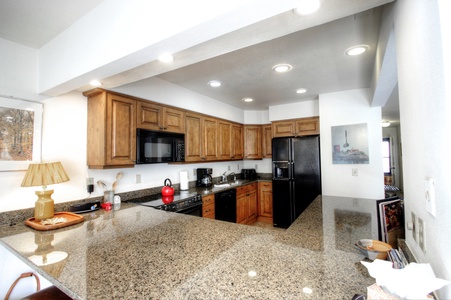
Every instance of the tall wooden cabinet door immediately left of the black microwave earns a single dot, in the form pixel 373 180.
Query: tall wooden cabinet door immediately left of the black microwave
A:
pixel 121 131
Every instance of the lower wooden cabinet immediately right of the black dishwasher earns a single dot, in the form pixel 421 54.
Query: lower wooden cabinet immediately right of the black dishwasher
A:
pixel 246 204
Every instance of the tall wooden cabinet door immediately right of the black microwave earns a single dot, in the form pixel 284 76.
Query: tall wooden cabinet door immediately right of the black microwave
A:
pixel 193 137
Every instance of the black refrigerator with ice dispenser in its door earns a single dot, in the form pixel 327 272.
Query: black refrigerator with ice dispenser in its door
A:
pixel 296 176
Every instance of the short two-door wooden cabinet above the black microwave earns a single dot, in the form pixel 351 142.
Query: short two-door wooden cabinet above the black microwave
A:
pixel 158 117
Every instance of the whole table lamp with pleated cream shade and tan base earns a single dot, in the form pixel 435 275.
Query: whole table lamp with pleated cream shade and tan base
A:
pixel 44 174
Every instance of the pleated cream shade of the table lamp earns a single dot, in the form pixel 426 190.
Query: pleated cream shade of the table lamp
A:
pixel 44 174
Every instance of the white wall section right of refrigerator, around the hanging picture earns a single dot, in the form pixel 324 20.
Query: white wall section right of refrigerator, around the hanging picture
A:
pixel 346 108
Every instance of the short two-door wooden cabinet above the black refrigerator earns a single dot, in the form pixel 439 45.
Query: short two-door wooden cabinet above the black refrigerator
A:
pixel 296 127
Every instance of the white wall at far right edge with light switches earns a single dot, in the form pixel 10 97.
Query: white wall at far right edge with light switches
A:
pixel 424 99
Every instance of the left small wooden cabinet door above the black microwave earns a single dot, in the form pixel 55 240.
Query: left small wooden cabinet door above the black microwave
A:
pixel 149 116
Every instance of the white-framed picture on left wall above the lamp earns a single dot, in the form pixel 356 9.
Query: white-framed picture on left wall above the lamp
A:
pixel 20 133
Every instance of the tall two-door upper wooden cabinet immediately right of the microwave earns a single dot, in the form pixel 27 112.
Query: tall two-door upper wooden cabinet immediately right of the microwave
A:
pixel 201 138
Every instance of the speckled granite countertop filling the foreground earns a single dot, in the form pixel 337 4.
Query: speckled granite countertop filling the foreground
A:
pixel 142 253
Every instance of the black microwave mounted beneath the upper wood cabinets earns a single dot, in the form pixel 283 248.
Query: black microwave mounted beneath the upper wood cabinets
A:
pixel 159 147
